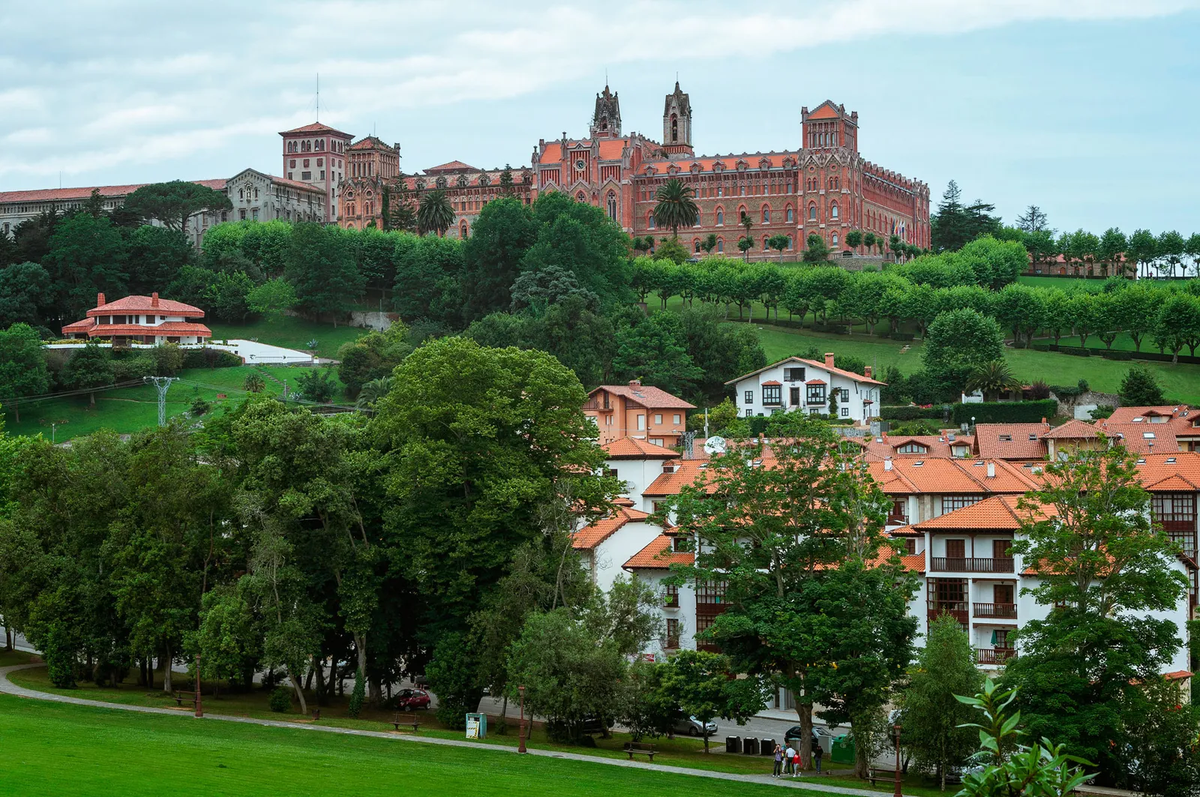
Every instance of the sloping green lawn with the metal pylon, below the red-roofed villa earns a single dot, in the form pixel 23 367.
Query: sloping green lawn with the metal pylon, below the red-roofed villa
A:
pixel 130 410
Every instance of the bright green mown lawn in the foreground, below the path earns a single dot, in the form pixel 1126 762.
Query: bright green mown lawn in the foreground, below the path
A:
pixel 62 750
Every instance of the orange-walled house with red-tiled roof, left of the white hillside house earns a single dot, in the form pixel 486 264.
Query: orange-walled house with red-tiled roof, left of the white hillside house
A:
pixel 639 412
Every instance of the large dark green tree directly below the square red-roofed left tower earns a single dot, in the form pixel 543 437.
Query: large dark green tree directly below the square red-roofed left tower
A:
pixel 321 268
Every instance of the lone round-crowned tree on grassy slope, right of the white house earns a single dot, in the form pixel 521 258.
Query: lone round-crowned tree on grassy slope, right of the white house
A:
pixel 958 343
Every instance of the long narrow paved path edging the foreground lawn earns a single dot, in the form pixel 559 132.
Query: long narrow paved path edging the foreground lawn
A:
pixel 10 688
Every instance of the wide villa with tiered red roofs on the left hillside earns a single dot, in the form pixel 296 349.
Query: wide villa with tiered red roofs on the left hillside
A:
pixel 141 320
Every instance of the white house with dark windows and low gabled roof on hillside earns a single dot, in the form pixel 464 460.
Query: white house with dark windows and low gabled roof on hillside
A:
pixel 811 387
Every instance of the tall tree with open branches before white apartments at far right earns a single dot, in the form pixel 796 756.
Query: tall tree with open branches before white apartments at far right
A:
pixel 1107 578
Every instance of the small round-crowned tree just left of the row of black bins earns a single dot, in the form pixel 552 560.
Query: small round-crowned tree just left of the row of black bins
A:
pixel 703 686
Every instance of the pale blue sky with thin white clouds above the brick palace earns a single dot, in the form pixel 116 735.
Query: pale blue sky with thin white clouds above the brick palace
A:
pixel 1087 109
